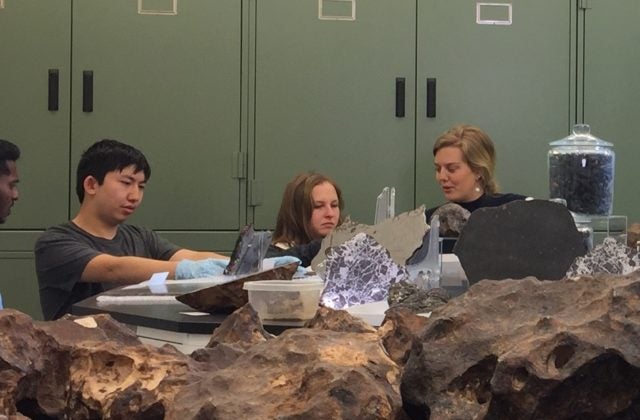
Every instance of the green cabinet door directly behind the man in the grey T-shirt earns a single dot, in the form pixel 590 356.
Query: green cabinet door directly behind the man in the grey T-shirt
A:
pixel 169 84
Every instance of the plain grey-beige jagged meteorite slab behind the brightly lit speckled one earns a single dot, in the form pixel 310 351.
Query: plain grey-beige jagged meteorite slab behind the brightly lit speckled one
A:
pixel 401 235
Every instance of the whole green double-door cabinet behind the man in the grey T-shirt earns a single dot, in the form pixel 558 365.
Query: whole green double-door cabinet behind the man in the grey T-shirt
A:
pixel 166 81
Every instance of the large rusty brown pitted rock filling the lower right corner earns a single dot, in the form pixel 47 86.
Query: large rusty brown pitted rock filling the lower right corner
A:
pixel 530 349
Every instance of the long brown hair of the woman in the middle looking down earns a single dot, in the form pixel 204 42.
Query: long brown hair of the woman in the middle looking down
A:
pixel 292 225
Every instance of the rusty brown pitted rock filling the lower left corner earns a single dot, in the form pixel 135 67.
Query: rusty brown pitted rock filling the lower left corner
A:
pixel 75 370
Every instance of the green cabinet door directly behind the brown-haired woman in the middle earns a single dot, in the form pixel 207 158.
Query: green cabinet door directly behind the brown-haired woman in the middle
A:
pixel 325 100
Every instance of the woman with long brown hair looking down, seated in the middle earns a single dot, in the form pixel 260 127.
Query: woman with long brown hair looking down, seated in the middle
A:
pixel 311 208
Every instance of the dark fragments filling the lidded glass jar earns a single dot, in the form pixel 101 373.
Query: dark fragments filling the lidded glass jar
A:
pixel 585 180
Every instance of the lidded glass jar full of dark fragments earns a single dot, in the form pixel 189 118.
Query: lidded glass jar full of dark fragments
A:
pixel 581 171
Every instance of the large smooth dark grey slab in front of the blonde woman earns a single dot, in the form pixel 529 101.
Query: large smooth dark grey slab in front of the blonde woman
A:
pixel 519 239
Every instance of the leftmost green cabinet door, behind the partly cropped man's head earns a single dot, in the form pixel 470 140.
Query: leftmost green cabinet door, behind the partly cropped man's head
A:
pixel 34 38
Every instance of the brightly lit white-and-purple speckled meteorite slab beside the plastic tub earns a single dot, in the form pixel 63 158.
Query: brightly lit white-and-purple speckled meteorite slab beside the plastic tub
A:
pixel 359 271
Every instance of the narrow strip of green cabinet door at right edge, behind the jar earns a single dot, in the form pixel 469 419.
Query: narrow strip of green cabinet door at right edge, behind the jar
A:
pixel 612 88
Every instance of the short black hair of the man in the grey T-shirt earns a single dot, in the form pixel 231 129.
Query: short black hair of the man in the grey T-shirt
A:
pixel 106 156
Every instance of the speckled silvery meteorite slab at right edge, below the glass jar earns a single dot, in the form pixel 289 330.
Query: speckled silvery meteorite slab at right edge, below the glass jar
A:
pixel 608 257
